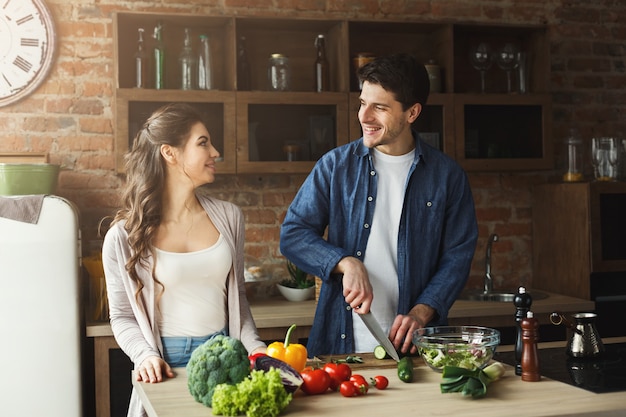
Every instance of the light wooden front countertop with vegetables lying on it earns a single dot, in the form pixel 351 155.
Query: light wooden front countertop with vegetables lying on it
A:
pixel 508 396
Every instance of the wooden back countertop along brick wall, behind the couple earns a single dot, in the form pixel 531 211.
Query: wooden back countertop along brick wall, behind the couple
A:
pixel 277 313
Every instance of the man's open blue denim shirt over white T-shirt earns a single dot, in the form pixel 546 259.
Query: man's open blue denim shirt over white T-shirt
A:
pixel 436 239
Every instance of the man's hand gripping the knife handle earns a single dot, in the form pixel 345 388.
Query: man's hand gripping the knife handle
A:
pixel 357 289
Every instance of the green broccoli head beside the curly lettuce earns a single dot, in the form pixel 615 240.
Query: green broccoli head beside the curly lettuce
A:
pixel 220 360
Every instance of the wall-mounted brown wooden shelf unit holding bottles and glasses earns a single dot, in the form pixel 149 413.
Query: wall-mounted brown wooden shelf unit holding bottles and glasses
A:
pixel 495 131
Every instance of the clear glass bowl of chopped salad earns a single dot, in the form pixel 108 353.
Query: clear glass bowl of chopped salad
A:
pixel 469 347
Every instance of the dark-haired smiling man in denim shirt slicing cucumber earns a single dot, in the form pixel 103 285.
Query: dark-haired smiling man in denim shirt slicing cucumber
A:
pixel 400 216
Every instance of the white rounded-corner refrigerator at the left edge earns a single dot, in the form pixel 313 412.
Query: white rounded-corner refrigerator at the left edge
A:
pixel 40 324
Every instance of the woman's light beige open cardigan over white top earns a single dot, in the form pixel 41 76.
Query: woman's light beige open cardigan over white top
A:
pixel 134 324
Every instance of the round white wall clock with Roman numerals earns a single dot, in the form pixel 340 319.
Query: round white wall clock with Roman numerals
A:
pixel 27 50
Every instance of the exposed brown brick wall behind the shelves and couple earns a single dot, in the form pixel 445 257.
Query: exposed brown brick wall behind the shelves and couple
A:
pixel 71 115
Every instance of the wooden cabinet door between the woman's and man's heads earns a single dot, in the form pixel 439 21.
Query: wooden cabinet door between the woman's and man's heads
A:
pixel 287 132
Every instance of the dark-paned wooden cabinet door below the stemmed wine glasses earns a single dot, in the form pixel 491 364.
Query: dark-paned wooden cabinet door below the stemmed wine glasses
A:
pixel 495 133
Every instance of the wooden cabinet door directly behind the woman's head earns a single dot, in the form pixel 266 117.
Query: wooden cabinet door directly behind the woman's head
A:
pixel 217 109
